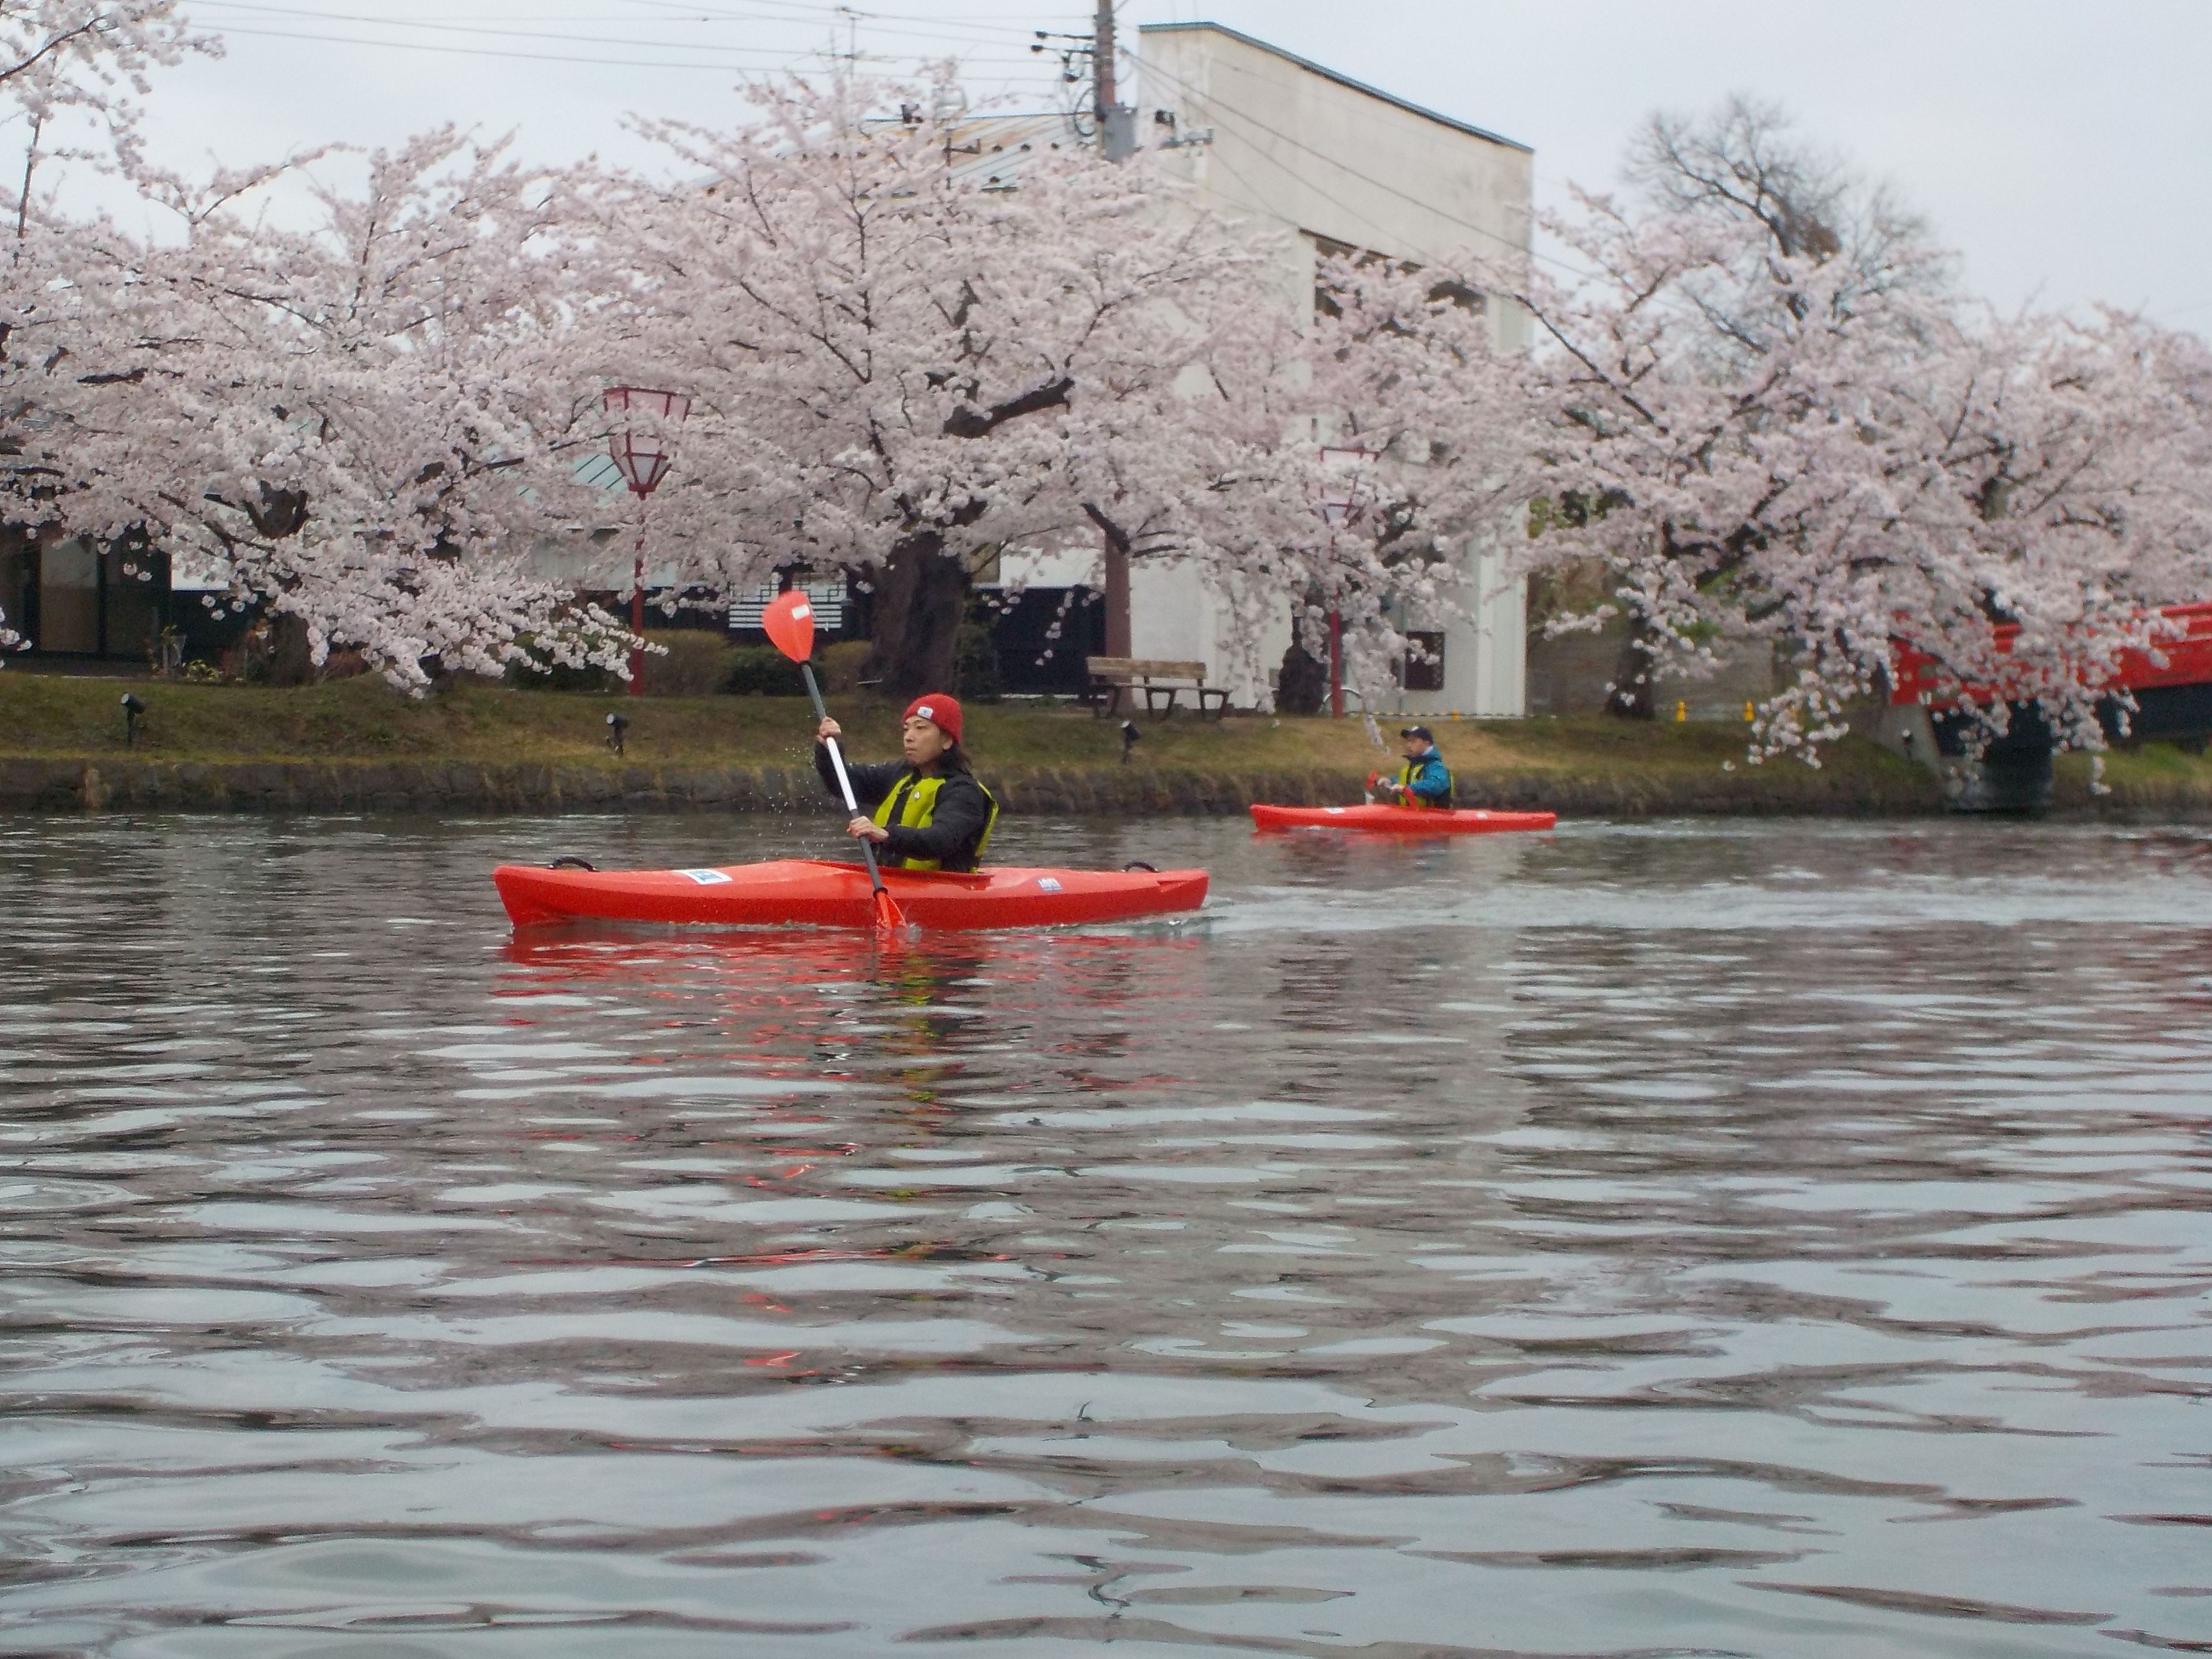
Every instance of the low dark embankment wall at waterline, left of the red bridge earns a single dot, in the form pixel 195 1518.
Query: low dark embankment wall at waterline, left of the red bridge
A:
pixel 455 786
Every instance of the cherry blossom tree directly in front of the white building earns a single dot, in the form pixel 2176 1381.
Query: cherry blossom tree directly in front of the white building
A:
pixel 1331 463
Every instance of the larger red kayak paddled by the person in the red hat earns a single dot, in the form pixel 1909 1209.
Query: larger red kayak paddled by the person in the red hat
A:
pixel 813 893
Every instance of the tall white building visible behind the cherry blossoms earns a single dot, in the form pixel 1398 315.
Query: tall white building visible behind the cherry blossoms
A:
pixel 1293 147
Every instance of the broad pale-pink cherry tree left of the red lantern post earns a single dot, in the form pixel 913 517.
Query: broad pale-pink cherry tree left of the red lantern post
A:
pixel 364 424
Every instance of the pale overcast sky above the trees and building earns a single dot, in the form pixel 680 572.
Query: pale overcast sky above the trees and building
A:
pixel 2060 147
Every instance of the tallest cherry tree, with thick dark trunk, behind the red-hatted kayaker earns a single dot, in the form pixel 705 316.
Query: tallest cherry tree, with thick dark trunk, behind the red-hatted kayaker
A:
pixel 901 348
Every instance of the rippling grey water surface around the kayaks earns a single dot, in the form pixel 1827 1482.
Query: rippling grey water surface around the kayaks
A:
pixel 1687 1240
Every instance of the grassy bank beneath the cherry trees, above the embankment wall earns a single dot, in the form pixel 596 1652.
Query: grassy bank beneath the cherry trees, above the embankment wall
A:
pixel 1569 764
